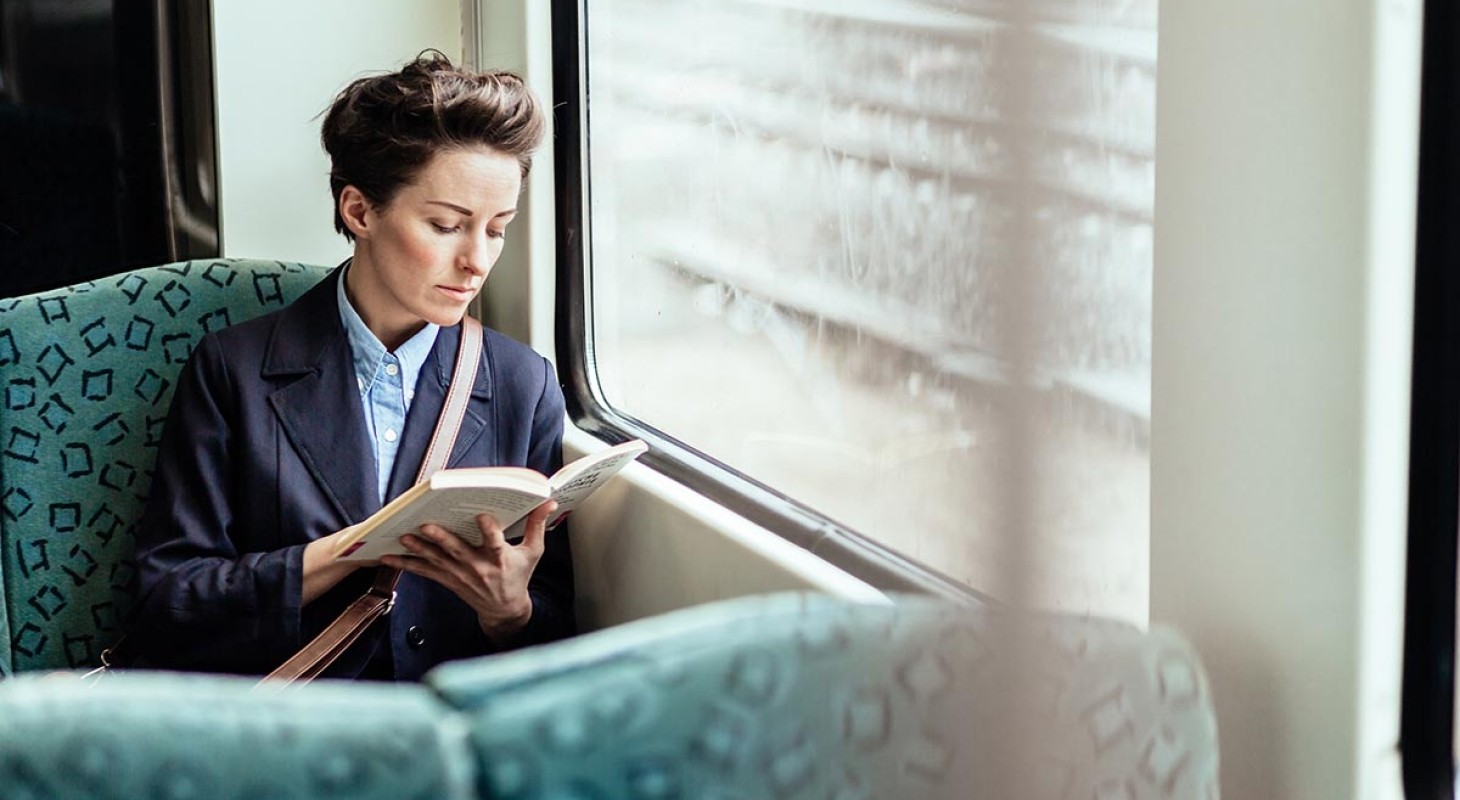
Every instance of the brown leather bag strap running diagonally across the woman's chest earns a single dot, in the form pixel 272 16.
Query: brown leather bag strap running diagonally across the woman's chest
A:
pixel 376 604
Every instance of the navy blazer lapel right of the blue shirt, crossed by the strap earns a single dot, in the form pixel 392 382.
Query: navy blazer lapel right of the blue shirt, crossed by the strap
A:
pixel 426 411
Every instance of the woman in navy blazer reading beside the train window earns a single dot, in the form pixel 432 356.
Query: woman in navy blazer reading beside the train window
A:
pixel 290 428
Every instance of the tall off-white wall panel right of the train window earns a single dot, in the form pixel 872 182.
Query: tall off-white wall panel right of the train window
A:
pixel 1284 261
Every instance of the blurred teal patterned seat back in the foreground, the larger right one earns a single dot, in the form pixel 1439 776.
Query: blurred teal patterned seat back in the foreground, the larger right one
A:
pixel 808 697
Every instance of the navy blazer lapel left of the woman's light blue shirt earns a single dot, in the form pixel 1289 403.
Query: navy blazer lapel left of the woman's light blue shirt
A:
pixel 318 404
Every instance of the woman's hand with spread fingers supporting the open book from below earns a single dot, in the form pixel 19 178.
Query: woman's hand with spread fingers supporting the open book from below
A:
pixel 491 579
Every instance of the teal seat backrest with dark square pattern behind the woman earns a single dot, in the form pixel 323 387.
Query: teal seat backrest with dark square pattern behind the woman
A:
pixel 88 376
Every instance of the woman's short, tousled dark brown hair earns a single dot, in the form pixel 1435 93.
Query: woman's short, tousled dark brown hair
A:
pixel 383 129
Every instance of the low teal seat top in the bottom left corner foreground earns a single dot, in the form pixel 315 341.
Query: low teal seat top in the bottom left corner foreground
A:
pixel 207 738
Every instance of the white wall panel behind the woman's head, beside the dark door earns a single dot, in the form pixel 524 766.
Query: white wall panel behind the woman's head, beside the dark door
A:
pixel 280 65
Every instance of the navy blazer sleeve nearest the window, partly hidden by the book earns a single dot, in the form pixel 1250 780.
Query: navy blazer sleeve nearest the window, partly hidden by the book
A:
pixel 551 586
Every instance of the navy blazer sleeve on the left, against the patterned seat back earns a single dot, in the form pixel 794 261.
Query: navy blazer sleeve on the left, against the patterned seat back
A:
pixel 205 601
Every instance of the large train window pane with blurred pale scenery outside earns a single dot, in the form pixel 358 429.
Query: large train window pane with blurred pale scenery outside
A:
pixel 867 253
